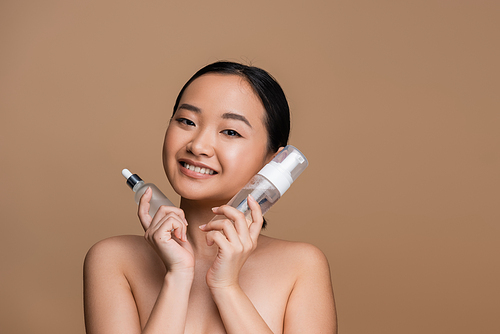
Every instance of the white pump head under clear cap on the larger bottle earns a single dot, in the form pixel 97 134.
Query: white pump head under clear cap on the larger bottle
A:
pixel 284 168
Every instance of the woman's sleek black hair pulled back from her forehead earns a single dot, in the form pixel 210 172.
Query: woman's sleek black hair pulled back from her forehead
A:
pixel 273 98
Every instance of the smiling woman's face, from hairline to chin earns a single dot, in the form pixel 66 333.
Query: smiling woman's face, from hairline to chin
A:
pixel 216 140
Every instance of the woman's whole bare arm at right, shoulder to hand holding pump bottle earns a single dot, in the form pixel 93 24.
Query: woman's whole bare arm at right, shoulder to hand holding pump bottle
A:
pixel 310 307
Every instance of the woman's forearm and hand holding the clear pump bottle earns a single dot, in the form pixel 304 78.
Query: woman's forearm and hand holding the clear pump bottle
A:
pixel 236 239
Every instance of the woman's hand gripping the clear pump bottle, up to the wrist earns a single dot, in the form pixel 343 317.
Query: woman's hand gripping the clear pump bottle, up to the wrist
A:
pixel 236 238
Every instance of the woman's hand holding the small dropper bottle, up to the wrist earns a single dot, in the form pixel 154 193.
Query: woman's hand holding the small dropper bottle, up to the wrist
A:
pixel 166 232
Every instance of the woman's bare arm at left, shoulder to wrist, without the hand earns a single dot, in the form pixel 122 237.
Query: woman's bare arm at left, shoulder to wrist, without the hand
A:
pixel 109 303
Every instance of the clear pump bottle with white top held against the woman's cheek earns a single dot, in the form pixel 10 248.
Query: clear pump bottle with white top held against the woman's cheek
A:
pixel 271 182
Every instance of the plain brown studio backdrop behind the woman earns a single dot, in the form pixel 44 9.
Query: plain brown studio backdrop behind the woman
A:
pixel 396 105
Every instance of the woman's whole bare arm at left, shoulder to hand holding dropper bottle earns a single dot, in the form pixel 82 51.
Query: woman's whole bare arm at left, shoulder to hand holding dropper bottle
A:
pixel 110 306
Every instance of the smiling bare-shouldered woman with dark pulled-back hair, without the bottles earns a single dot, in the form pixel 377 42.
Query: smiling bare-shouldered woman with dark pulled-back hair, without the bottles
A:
pixel 189 274
